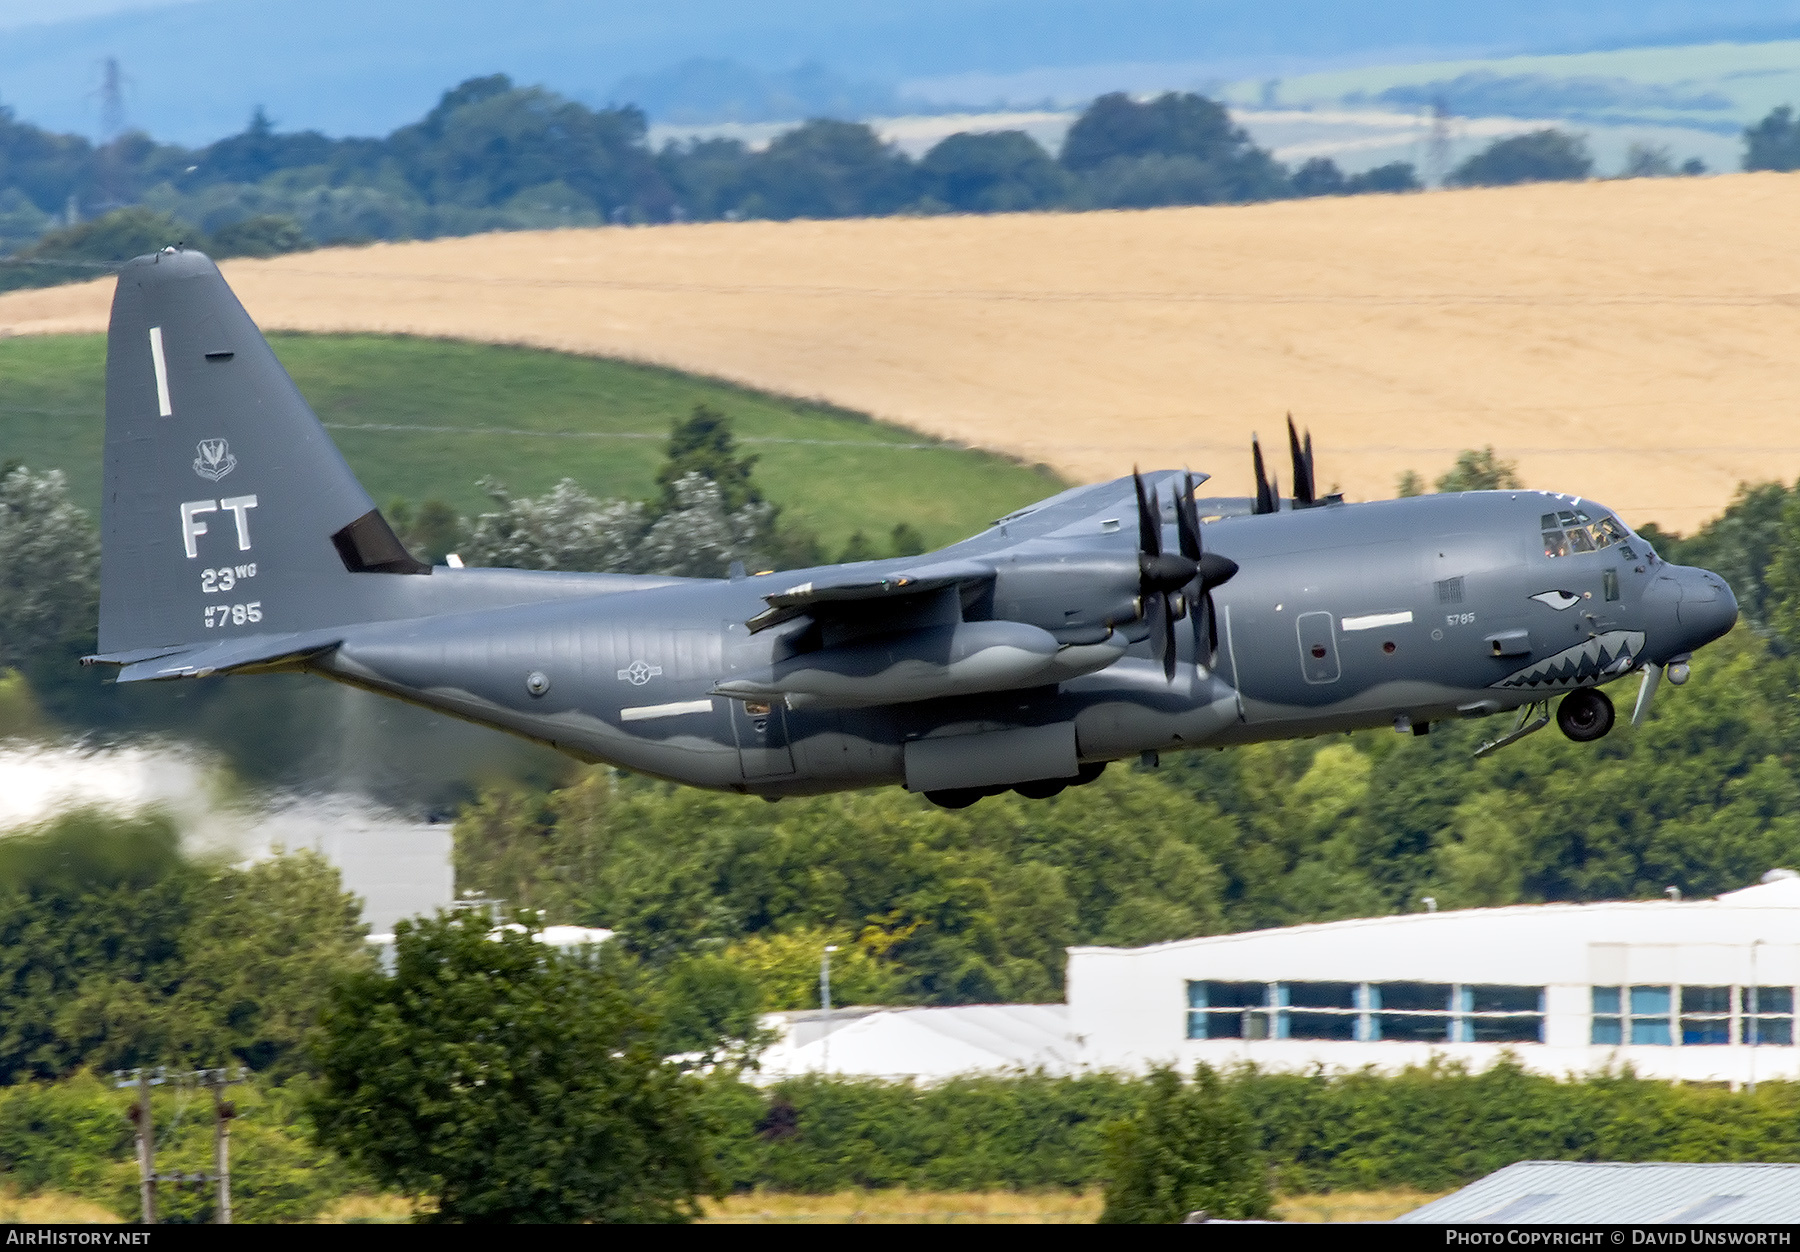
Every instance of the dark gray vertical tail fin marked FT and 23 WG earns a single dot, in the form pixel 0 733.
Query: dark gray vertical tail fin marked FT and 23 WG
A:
pixel 228 510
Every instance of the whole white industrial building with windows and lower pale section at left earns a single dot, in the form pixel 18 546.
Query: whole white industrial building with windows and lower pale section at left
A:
pixel 1686 990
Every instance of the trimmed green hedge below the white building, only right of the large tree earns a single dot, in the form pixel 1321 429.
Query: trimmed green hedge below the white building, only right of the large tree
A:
pixel 1432 1129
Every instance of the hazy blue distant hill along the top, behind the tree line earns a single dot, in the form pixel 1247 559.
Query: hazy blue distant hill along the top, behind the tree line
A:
pixel 352 67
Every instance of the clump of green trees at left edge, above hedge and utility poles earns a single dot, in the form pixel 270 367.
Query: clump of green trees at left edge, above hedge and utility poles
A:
pixel 116 951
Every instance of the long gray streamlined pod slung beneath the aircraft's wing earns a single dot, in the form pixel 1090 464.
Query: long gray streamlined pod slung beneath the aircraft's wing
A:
pixel 926 665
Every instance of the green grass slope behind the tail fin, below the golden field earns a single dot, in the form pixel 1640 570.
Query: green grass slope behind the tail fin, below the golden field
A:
pixel 427 418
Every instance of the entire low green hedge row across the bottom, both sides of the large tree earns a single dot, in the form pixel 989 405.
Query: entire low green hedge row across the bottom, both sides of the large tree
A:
pixel 1432 1129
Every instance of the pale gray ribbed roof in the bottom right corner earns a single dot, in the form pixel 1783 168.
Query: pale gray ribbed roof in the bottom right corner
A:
pixel 1560 1192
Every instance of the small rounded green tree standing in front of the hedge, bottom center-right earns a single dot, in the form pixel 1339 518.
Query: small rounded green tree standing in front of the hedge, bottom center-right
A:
pixel 1189 1149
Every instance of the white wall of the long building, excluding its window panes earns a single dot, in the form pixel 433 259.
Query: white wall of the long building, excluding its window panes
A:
pixel 1131 1006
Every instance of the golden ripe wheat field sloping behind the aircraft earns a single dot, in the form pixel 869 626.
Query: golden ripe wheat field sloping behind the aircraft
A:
pixel 1626 341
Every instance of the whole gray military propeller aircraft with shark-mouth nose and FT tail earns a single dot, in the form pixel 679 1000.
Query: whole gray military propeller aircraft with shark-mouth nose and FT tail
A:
pixel 1113 622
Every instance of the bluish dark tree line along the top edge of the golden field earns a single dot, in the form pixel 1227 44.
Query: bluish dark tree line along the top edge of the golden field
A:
pixel 494 156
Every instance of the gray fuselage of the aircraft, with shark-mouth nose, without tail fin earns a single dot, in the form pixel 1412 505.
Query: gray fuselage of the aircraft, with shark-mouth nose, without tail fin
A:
pixel 1340 618
